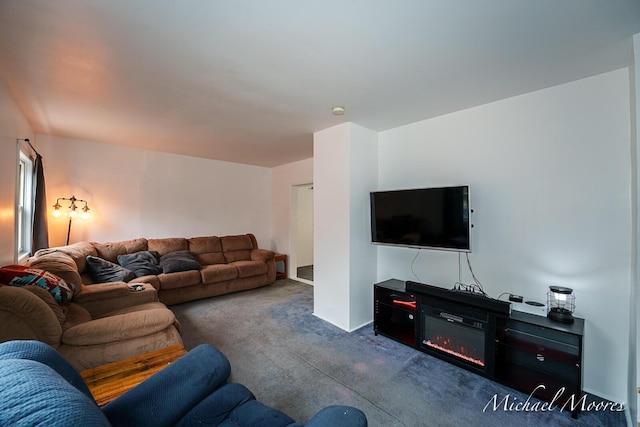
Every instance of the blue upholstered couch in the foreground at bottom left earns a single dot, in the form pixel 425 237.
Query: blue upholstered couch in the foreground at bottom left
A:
pixel 39 387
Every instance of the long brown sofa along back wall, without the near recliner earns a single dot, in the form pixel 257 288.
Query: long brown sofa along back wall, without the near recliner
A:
pixel 228 264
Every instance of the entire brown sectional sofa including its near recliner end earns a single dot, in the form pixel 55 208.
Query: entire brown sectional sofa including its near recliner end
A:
pixel 107 322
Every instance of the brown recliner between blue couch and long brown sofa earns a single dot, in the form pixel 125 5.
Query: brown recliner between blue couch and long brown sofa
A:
pixel 86 339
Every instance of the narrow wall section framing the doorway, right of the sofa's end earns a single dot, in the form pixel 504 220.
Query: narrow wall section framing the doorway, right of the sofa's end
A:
pixel 284 179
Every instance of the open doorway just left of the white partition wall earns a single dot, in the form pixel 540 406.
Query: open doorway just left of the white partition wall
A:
pixel 301 267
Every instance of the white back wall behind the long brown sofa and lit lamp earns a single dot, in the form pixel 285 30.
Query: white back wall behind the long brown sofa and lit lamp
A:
pixel 138 193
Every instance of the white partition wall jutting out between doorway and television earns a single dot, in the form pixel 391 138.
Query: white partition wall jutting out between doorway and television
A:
pixel 345 171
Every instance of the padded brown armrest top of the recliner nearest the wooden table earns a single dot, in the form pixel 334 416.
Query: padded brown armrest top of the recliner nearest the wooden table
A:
pixel 119 327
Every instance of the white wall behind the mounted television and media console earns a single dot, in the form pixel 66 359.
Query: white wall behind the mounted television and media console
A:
pixel 550 185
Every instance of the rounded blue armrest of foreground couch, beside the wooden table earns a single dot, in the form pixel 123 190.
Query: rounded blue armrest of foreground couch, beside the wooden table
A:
pixel 193 377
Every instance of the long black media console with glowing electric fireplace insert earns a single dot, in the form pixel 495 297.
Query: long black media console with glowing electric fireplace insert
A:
pixel 526 352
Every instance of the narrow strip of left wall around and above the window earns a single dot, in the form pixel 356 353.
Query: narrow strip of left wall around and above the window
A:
pixel 13 125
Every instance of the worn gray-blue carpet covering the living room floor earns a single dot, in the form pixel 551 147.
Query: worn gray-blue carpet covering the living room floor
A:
pixel 295 362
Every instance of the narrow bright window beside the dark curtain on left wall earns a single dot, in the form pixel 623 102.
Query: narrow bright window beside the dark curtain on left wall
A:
pixel 24 206
